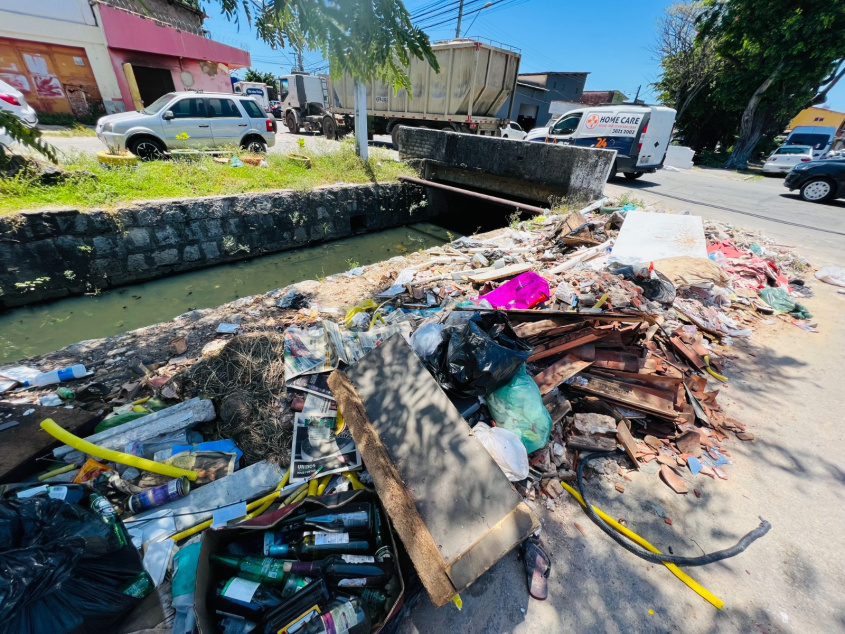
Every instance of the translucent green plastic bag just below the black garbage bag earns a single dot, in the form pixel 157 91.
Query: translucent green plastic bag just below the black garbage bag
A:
pixel 518 406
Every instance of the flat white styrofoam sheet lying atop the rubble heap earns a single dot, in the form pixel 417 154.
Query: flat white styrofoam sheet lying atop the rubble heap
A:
pixel 645 237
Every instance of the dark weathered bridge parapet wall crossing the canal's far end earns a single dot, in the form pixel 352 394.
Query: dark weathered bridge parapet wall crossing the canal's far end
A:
pixel 538 171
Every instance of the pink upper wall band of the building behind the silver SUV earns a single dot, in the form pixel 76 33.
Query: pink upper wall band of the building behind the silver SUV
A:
pixel 130 32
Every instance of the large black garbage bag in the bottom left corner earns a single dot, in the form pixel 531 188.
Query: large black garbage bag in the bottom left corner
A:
pixel 62 569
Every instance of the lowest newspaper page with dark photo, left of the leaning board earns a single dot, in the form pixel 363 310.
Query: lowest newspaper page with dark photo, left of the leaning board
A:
pixel 317 444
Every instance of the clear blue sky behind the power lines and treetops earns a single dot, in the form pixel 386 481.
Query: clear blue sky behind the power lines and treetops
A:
pixel 610 39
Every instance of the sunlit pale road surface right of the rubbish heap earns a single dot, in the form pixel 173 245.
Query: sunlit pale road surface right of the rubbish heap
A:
pixel 787 388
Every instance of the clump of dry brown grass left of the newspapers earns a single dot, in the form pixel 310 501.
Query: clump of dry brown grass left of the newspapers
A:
pixel 246 382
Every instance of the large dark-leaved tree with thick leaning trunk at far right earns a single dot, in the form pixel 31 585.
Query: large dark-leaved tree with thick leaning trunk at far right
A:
pixel 778 57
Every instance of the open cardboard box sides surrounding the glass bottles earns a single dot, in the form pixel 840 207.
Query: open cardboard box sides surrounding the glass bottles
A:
pixel 215 541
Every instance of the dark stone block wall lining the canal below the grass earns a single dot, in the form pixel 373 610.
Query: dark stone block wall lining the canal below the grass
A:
pixel 52 254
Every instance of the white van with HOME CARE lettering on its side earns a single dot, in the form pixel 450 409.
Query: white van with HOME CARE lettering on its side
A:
pixel 639 134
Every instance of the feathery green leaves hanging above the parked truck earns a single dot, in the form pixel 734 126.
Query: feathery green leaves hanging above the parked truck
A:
pixel 367 38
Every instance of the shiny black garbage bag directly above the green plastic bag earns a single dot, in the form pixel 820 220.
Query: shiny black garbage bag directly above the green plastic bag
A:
pixel 478 355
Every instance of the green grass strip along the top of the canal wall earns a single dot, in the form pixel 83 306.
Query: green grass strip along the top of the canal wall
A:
pixel 97 187
